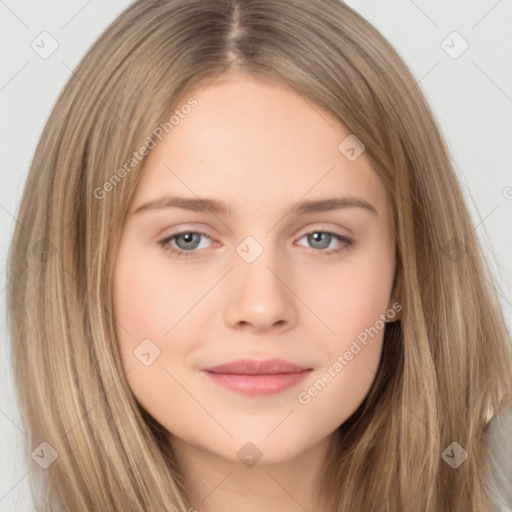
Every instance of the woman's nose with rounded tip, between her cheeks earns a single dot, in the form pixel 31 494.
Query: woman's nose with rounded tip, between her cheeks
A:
pixel 260 296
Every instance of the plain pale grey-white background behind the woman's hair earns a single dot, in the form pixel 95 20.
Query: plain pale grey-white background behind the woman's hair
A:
pixel 470 95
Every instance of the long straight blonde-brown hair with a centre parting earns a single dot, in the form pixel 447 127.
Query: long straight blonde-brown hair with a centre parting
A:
pixel 446 366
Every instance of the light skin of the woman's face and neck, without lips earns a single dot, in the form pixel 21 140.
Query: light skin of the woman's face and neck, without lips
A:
pixel 262 149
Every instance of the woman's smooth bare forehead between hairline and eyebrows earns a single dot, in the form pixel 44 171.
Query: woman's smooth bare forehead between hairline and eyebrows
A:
pixel 248 140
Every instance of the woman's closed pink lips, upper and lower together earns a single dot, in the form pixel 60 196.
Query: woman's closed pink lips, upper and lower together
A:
pixel 258 378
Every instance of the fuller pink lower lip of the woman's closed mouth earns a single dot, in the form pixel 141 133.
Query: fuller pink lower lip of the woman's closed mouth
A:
pixel 258 385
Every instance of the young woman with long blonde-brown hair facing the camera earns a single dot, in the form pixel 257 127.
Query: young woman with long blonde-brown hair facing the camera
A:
pixel 396 353
